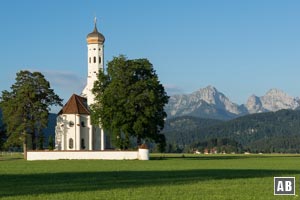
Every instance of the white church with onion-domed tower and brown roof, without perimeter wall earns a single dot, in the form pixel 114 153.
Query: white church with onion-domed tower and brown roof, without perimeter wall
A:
pixel 74 130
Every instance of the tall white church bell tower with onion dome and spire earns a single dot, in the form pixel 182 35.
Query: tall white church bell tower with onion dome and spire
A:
pixel 95 45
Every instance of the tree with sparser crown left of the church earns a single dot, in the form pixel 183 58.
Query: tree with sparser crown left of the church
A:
pixel 26 107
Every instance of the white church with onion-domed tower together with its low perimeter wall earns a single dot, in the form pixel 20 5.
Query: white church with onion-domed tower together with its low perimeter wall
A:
pixel 75 136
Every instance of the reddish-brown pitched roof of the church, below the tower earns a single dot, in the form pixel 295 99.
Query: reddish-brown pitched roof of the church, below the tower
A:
pixel 75 105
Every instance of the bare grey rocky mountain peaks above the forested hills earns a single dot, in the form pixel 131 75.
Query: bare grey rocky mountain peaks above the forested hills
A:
pixel 208 102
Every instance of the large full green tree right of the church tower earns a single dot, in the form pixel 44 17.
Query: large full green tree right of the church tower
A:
pixel 129 101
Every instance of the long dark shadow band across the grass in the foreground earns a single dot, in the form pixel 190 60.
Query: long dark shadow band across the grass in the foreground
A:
pixel 47 183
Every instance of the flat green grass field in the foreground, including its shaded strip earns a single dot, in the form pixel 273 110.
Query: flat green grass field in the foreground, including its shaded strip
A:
pixel 172 177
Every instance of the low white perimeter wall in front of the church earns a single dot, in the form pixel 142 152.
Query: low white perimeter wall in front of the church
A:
pixel 88 155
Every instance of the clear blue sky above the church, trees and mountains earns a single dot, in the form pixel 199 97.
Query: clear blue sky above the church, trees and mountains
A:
pixel 240 47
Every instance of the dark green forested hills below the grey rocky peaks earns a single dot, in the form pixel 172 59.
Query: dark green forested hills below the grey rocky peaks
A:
pixel 271 132
